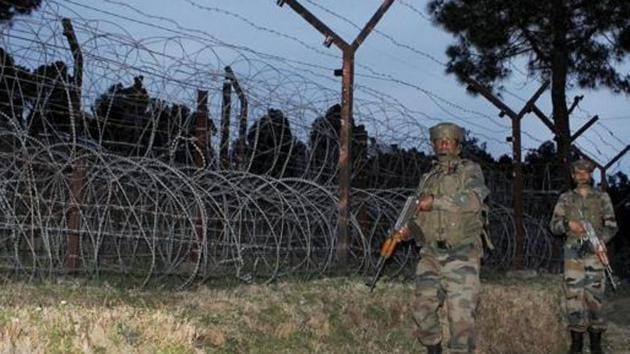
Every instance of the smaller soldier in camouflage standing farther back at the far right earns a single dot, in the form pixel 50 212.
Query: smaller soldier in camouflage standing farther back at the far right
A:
pixel 584 277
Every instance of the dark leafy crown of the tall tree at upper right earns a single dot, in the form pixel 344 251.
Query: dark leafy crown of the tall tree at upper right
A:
pixel 588 37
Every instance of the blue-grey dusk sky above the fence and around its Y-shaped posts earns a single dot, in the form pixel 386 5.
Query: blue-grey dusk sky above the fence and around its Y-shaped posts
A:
pixel 403 59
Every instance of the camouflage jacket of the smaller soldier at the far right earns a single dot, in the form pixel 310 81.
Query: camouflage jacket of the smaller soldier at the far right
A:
pixel 596 208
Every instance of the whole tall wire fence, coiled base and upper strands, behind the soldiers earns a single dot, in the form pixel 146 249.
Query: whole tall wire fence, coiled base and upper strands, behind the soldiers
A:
pixel 142 168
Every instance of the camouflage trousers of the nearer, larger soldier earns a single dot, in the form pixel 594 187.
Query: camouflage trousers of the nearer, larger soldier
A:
pixel 447 278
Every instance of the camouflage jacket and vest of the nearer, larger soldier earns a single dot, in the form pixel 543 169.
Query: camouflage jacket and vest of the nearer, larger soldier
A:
pixel 456 216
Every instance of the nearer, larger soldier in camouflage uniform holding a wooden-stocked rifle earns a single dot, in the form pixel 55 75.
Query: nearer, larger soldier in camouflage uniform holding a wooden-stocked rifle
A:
pixel 448 224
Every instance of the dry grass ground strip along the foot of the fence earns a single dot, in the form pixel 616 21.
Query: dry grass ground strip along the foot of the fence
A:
pixel 336 315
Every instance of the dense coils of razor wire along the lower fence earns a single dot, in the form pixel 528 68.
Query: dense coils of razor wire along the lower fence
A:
pixel 144 218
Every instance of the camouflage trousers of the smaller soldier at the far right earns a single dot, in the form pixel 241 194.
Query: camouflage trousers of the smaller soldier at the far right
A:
pixel 584 287
